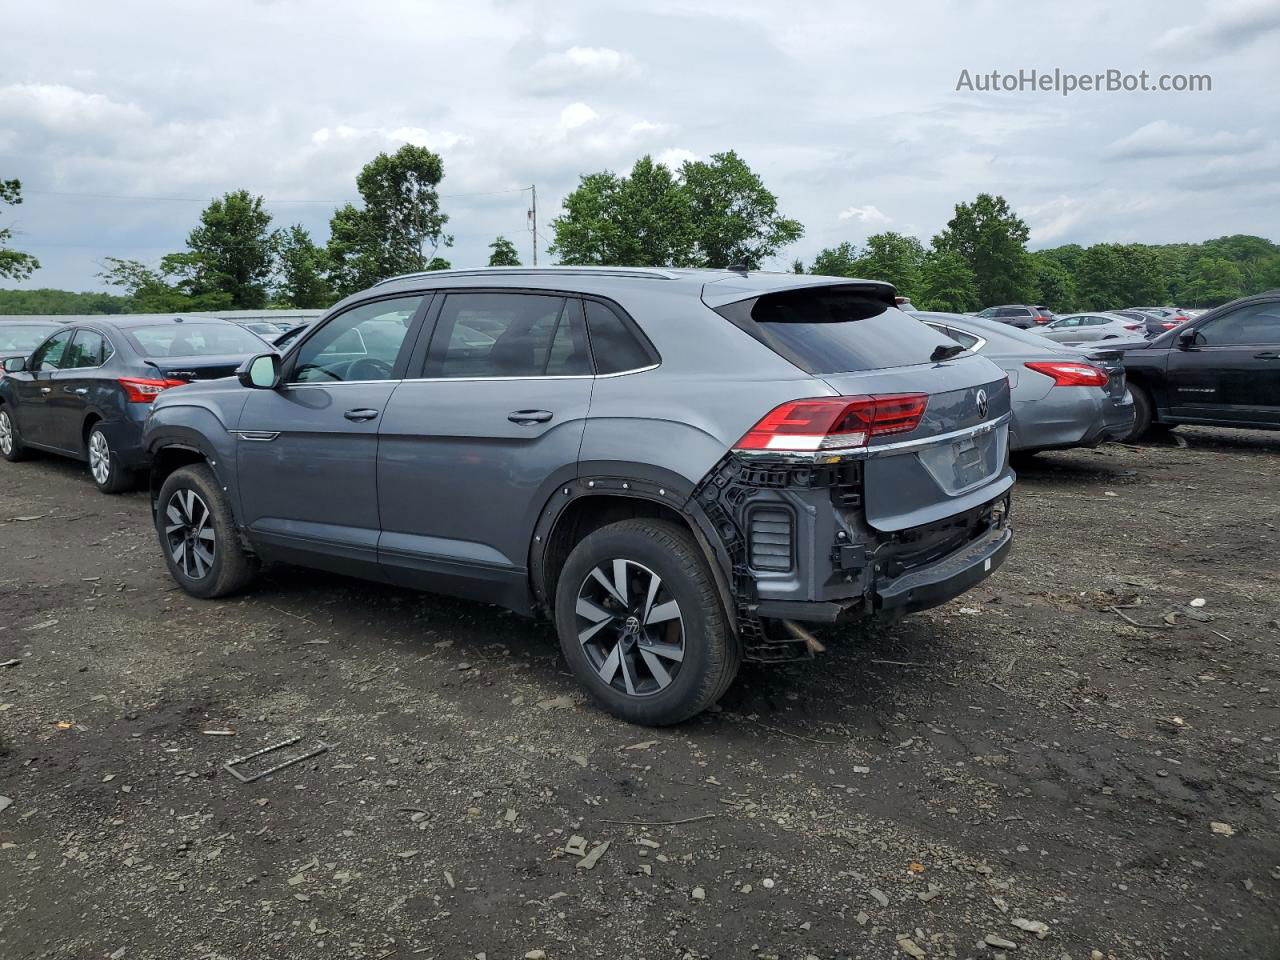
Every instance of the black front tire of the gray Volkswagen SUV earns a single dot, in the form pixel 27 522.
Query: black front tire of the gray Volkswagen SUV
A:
pixel 223 566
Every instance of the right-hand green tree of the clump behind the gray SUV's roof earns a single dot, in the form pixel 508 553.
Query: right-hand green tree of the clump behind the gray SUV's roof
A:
pixel 737 218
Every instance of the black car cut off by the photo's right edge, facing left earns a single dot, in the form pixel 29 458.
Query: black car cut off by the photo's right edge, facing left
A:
pixel 1222 369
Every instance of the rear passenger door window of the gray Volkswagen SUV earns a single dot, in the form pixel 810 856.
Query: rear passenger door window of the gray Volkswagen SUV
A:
pixel 509 335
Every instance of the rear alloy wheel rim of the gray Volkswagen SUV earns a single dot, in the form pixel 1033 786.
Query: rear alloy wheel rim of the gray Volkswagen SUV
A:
pixel 630 628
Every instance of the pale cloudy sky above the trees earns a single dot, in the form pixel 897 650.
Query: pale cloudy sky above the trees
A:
pixel 124 120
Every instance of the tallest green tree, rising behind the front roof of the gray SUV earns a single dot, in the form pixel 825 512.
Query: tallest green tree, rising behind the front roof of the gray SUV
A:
pixel 400 227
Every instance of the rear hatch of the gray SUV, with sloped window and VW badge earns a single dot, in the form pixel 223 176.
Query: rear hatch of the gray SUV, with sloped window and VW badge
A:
pixel 854 340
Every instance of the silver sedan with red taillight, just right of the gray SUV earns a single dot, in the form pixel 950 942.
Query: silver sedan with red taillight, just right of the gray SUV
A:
pixel 1062 396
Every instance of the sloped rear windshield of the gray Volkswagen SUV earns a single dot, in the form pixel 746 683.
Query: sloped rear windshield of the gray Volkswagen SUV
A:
pixel 833 332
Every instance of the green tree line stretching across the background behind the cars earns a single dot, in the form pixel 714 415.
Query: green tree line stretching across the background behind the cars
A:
pixel 706 213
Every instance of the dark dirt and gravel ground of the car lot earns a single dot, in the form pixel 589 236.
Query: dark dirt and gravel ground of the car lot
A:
pixel 1022 762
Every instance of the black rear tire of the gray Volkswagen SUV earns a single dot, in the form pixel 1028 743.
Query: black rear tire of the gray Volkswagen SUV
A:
pixel 710 650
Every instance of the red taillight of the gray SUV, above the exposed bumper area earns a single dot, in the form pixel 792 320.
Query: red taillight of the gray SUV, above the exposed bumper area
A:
pixel 835 423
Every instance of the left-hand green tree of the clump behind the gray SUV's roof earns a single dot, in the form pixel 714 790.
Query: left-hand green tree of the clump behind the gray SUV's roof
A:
pixel 643 220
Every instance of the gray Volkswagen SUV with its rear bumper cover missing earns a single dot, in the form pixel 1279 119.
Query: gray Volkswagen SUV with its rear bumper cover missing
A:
pixel 679 468
